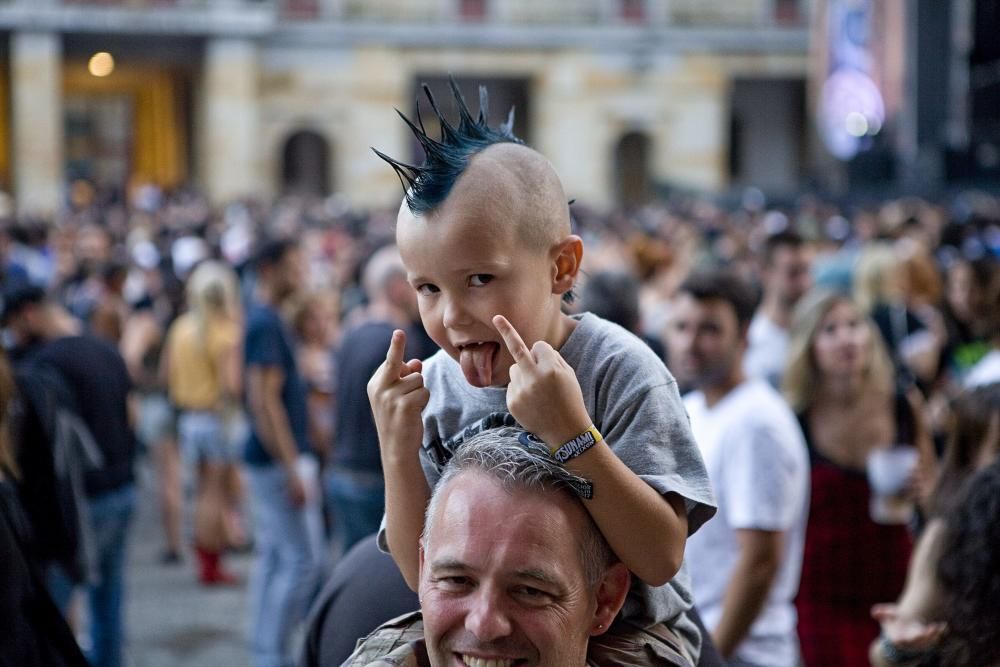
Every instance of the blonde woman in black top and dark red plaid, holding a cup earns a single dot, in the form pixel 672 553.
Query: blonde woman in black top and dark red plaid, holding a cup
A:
pixel 840 383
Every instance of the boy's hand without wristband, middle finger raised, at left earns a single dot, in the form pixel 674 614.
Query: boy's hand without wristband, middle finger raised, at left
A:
pixel 398 396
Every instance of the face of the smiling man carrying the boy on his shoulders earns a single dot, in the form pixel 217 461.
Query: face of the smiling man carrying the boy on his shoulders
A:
pixel 502 580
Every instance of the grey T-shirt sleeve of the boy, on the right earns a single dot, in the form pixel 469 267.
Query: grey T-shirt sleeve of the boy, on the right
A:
pixel 651 434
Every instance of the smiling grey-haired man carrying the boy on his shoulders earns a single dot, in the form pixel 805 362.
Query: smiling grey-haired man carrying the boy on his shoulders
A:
pixel 513 571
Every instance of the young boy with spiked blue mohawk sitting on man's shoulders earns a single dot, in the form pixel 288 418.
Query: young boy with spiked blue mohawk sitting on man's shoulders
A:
pixel 484 232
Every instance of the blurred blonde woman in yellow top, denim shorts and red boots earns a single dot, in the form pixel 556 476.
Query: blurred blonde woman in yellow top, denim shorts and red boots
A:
pixel 203 376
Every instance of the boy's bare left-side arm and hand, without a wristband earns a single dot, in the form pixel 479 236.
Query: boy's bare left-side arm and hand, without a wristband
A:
pixel 398 396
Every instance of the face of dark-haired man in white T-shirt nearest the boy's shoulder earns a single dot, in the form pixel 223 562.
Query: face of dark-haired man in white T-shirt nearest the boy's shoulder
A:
pixel 704 340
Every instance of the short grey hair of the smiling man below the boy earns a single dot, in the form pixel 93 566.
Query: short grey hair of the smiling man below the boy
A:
pixel 519 464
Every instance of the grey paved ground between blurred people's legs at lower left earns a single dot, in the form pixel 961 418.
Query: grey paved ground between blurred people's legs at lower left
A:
pixel 170 619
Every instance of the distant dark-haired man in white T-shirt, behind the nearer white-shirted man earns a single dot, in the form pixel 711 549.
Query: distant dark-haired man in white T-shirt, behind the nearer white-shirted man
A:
pixel 785 278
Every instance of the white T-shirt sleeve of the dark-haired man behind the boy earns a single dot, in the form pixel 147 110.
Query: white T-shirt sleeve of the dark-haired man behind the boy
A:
pixel 763 478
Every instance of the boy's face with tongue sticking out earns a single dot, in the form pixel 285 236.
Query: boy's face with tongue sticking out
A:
pixel 469 263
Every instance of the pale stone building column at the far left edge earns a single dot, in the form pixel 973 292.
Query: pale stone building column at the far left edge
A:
pixel 36 121
